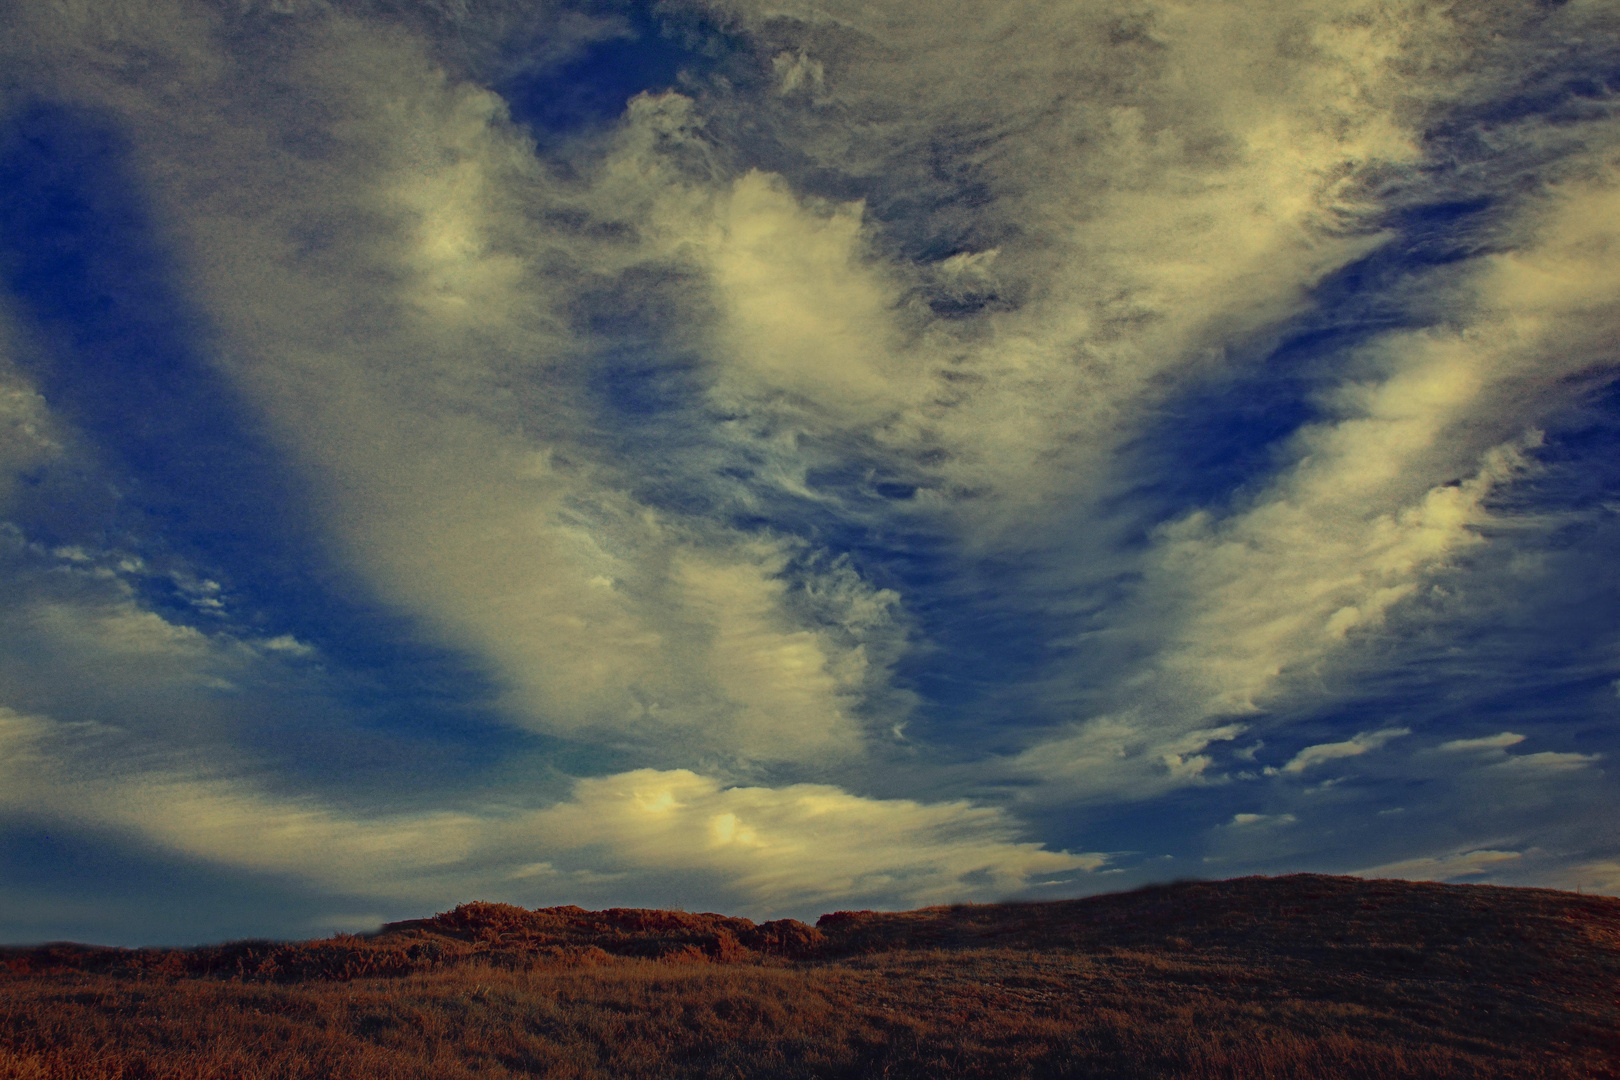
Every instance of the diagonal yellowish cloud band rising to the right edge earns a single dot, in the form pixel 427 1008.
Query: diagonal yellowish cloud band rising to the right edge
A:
pixel 1425 435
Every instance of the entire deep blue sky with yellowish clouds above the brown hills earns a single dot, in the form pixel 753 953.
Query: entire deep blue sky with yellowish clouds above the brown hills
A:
pixel 788 456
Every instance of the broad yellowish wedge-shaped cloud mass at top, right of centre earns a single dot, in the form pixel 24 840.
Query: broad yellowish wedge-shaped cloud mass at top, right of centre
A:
pixel 1083 135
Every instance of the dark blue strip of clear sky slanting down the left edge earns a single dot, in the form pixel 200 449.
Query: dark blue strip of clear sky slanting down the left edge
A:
pixel 124 355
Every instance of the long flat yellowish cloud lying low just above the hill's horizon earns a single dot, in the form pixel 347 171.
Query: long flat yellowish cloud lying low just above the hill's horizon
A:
pixel 764 849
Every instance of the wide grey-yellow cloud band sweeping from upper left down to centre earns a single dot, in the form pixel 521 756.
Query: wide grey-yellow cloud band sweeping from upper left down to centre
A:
pixel 445 428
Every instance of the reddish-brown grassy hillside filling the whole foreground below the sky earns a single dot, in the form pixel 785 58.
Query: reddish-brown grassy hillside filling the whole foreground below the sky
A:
pixel 1307 977
